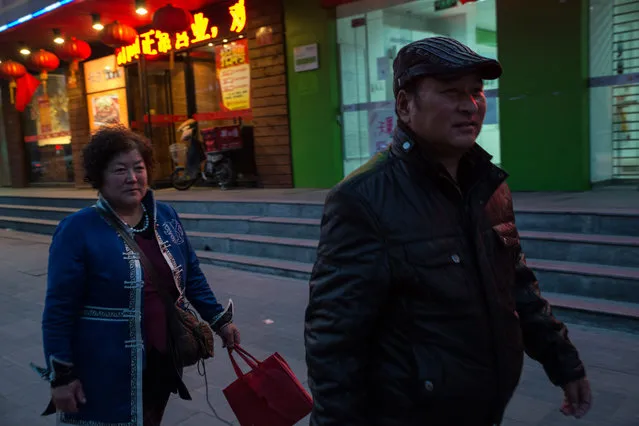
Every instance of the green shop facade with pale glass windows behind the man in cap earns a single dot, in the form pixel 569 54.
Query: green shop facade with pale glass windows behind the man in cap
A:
pixel 562 116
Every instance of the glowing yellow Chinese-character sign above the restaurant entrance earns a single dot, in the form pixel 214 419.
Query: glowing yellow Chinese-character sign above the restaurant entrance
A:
pixel 154 42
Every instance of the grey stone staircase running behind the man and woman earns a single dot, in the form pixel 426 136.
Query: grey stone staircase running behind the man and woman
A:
pixel 587 262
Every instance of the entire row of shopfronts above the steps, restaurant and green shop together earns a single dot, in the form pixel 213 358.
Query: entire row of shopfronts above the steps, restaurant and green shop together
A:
pixel 561 118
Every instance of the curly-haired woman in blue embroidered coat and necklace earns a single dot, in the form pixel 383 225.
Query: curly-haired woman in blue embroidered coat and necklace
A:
pixel 104 324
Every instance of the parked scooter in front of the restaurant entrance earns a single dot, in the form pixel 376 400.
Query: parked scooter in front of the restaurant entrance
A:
pixel 218 168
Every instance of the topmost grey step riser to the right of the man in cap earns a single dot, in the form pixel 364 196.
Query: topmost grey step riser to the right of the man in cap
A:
pixel 609 222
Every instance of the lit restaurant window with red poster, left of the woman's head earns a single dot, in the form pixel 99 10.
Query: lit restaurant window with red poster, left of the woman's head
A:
pixel 47 134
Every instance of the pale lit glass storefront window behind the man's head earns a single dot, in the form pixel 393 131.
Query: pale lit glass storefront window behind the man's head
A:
pixel 369 39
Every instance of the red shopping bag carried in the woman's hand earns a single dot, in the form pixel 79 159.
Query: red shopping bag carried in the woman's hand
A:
pixel 268 395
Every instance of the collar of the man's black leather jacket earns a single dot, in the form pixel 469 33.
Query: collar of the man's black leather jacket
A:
pixel 475 166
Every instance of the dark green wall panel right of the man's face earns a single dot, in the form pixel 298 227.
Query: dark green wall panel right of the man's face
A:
pixel 543 94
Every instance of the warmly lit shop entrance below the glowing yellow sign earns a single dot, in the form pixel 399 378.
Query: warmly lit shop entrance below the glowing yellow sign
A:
pixel 163 94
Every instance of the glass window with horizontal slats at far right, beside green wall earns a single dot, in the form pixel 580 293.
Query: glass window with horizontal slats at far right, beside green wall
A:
pixel 614 93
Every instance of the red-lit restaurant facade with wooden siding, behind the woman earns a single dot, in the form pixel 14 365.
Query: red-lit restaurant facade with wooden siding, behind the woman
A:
pixel 227 71
